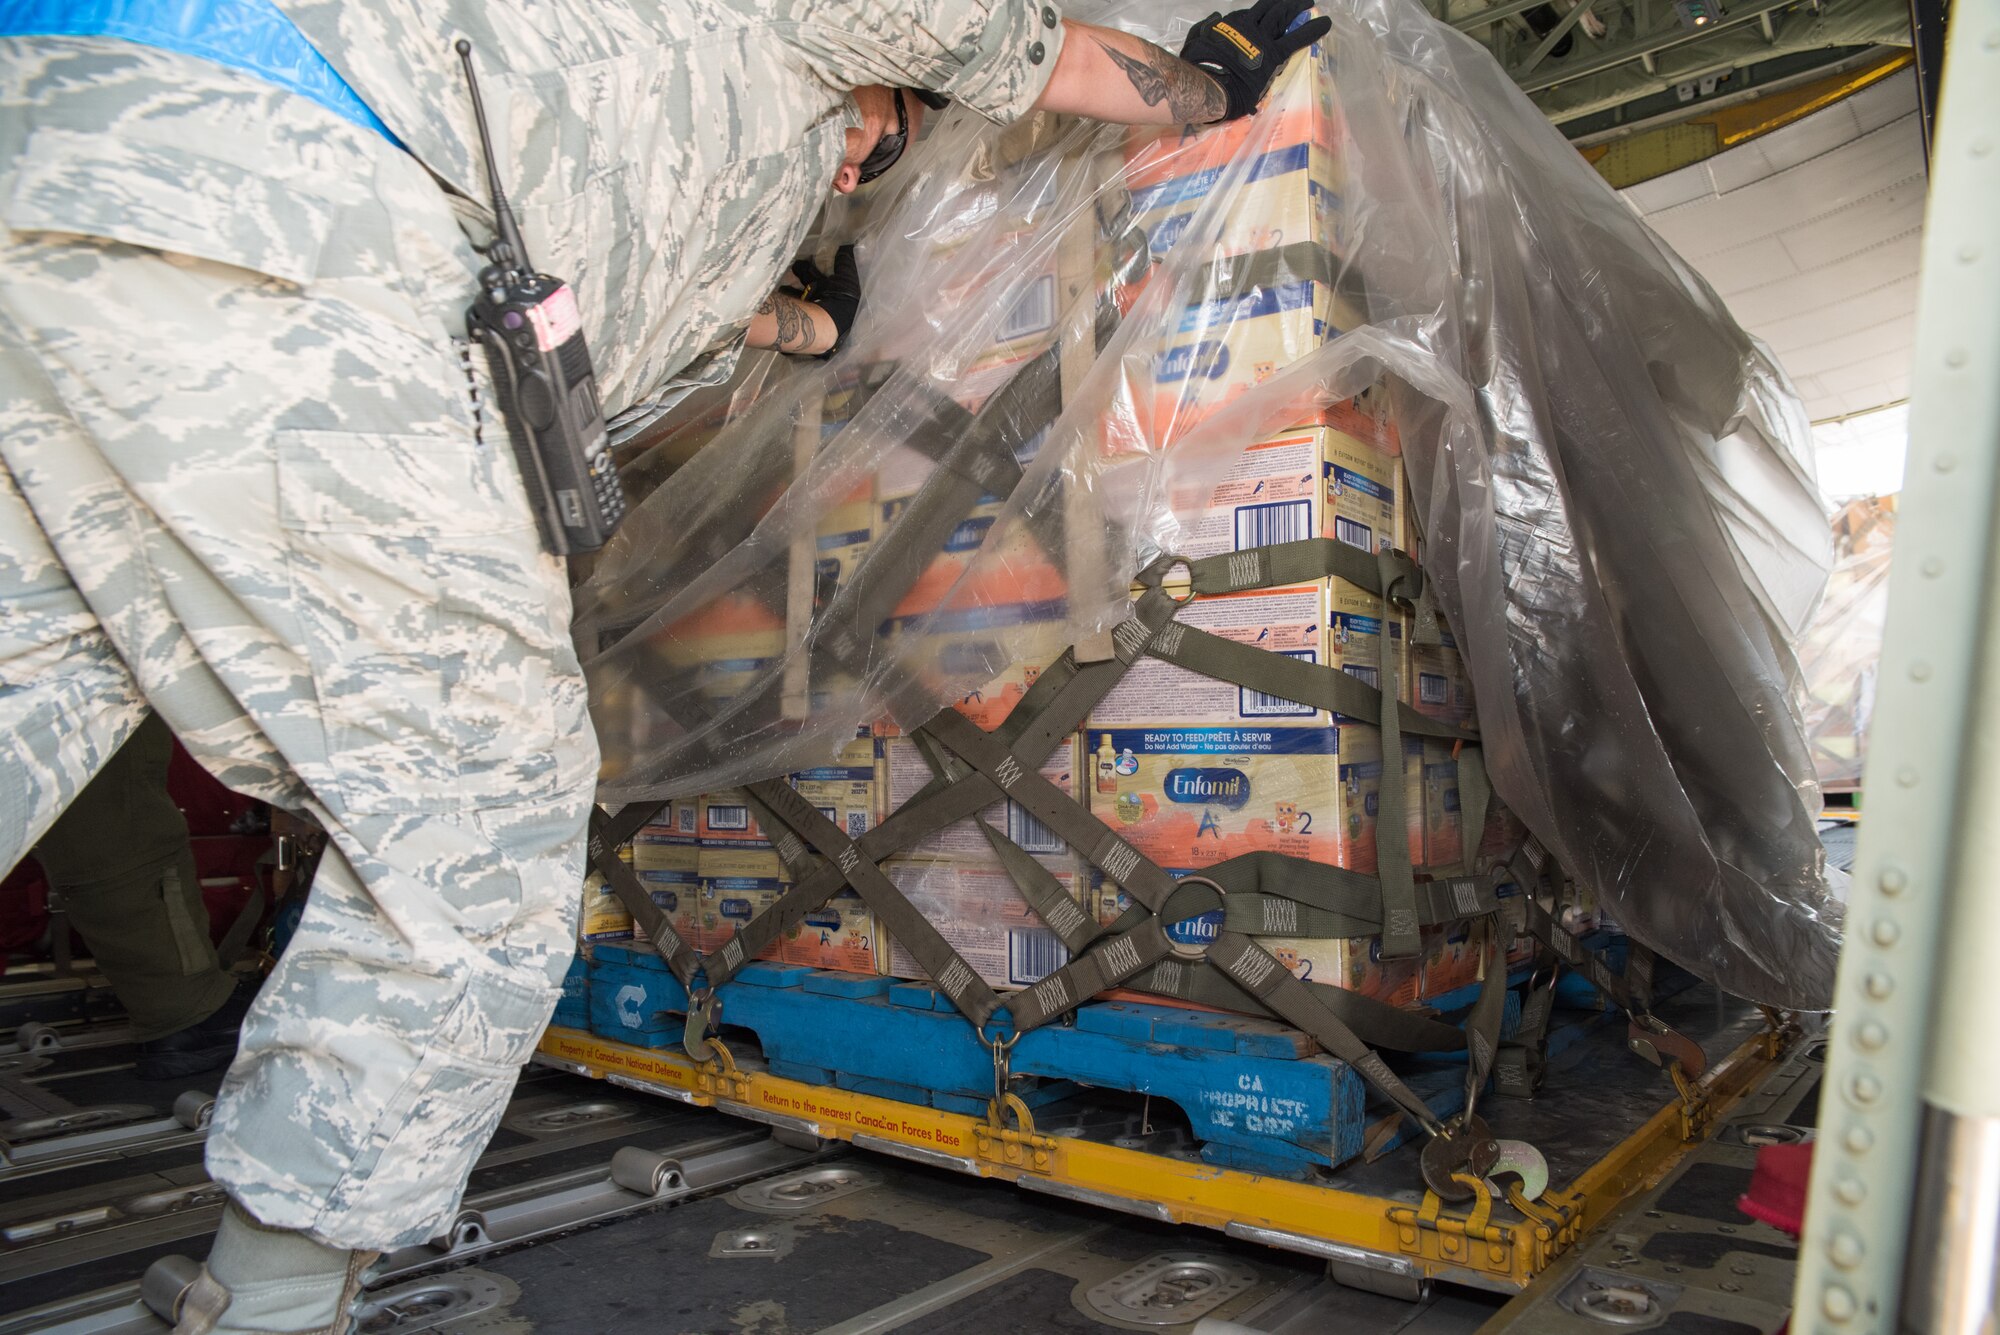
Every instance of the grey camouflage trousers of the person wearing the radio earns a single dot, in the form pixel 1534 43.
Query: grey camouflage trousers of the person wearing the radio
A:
pixel 247 485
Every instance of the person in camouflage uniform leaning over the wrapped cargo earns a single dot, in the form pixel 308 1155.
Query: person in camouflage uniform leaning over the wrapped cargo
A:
pixel 253 483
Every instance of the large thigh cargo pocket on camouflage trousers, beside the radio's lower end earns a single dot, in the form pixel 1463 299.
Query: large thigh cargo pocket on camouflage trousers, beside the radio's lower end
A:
pixel 427 613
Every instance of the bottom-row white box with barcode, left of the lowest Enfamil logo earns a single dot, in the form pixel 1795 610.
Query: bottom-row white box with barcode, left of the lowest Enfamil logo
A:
pixel 983 916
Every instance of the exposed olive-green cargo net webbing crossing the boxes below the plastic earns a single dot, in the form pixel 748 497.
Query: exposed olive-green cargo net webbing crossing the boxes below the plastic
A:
pixel 1261 894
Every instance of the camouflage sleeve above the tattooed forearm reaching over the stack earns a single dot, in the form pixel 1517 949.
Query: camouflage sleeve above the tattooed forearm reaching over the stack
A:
pixel 991 55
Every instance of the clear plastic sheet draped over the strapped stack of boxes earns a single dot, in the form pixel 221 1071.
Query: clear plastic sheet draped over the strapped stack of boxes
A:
pixel 1071 337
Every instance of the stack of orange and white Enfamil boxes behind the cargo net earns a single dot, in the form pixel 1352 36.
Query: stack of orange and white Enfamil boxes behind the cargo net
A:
pixel 1187 768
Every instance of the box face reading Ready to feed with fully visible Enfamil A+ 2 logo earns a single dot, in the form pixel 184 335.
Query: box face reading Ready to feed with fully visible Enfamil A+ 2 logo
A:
pixel 1197 796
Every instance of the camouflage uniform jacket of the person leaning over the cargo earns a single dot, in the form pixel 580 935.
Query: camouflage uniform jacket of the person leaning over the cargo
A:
pixel 667 157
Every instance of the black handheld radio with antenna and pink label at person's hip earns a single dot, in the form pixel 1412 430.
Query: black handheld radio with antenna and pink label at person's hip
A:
pixel 549 395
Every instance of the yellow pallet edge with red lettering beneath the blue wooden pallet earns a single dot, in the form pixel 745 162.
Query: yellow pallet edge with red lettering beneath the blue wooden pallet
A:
pixel 1495 1246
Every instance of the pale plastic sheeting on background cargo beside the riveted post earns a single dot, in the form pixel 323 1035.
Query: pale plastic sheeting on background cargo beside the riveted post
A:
pixel 1843 647
